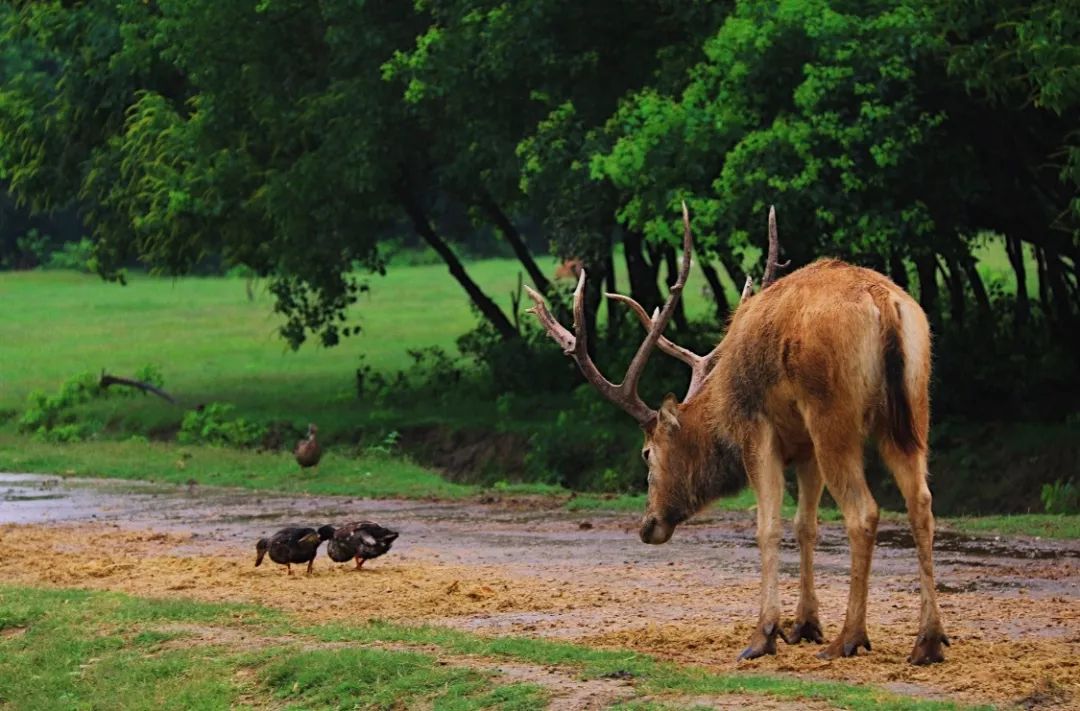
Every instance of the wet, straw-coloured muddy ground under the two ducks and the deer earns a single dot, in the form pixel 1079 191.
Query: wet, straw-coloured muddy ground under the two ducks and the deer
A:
pixel 1011 607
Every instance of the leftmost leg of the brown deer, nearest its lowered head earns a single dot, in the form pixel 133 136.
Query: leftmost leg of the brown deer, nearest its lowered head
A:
pixel 766 474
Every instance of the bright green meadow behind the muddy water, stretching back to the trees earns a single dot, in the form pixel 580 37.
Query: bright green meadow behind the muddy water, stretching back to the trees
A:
pixel 214 345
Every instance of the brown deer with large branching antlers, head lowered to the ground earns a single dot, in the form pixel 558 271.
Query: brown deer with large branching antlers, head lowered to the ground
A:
pixel 808 369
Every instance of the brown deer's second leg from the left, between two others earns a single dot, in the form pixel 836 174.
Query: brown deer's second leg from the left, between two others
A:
pixel 807 626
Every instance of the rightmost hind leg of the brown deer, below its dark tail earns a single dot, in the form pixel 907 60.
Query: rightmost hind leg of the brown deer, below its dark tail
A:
pixel 910 469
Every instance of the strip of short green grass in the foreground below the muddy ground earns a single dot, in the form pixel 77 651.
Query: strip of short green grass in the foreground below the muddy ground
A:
pixel 76 649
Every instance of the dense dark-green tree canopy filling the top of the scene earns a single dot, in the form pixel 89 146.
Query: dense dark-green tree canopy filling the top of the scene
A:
pixel 293 138
